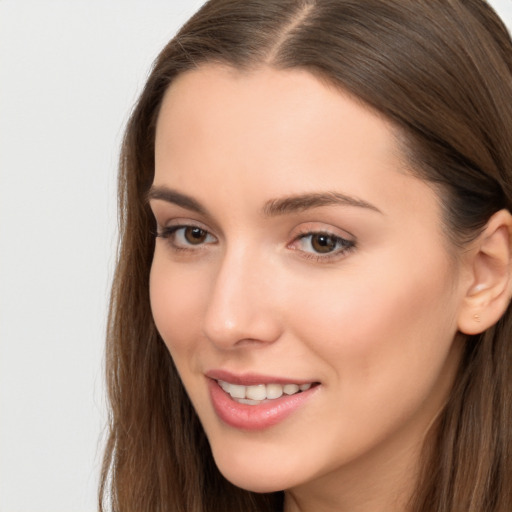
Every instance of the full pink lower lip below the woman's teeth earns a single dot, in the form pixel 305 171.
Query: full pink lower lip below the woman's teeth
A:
pixel 255 417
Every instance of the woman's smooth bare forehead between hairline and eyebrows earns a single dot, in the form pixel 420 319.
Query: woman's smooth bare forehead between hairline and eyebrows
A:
pixel 235 140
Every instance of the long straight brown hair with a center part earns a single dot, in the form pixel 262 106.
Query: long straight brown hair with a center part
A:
pixel 441 72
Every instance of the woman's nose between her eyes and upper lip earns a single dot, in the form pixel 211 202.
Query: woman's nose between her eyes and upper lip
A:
pixel 241 307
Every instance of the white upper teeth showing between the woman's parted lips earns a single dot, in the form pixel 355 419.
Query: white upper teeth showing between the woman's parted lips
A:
pixel 260 393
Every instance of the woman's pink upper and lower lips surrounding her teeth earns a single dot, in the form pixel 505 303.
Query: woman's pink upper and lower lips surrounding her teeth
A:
pixel 254 417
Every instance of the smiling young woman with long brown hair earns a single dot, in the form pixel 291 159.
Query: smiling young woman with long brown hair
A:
pixel 310 311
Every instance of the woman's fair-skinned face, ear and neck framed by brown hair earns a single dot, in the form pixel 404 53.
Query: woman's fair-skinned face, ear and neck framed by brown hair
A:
pixel 295 246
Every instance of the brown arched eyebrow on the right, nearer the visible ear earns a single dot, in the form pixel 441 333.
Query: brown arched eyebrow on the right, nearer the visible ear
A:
pixel 298 203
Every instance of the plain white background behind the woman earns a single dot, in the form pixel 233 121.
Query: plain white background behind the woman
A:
pixel 70 70
